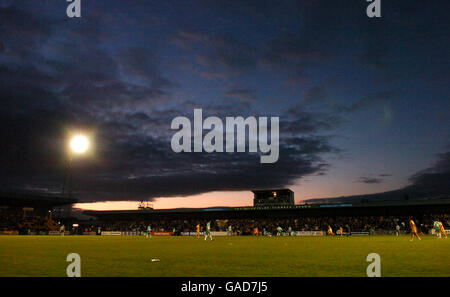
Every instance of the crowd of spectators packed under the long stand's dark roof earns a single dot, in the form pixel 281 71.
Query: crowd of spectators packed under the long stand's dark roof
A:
pixel 372 224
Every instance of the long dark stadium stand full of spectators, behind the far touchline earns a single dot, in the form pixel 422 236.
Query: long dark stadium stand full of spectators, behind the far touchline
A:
pixel 372 218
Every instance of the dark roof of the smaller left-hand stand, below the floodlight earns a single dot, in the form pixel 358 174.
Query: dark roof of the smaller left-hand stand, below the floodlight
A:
pixel 25 199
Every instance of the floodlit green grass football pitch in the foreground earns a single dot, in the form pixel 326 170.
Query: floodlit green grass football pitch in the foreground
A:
pixel 225 256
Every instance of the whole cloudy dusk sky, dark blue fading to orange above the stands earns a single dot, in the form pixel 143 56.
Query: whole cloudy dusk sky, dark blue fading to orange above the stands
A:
pixel 363 102
